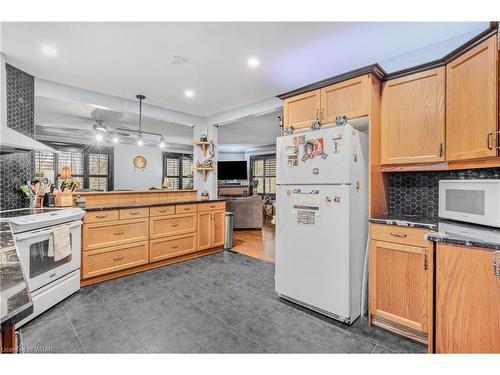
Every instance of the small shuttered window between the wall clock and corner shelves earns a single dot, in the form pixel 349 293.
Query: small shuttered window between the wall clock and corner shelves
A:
pixel 178 168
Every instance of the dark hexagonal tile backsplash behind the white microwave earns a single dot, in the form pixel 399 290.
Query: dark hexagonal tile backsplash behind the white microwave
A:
pixel 417 193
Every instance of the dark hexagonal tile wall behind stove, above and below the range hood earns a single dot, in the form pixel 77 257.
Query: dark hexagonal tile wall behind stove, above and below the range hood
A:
pixel 17 168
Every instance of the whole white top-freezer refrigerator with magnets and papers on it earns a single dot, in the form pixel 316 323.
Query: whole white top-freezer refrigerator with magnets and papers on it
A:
pixel 322 219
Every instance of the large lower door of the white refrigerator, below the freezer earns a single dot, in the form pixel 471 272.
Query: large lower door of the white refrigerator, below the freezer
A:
pixel 312 254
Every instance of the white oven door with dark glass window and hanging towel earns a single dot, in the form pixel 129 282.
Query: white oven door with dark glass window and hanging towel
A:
pixel 40 268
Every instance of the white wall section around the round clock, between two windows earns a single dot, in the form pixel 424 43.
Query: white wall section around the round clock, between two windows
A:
pixel 127 177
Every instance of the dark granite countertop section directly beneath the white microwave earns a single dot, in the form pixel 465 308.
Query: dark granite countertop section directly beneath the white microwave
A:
pixel 464 234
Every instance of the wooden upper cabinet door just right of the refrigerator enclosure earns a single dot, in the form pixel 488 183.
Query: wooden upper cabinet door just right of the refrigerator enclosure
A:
pixel 413 118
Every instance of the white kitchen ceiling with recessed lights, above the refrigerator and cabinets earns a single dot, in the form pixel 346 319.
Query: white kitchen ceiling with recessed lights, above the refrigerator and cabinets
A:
pixel 123 59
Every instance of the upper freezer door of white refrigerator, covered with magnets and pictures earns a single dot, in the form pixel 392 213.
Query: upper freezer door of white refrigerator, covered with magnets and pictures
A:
pixel 315 157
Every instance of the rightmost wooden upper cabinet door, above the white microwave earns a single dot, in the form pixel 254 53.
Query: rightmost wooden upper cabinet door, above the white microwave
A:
pixel 471 103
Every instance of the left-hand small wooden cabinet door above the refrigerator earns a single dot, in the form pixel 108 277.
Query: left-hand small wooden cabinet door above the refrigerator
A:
pixel 301 110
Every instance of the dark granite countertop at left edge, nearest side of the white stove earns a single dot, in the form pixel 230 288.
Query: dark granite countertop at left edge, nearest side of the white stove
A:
pixel 15 298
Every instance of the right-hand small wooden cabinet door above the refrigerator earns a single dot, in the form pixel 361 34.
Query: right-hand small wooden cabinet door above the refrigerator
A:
pixel 348 98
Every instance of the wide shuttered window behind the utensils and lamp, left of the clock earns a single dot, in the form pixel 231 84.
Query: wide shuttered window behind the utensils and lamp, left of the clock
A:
pixel 90 165
